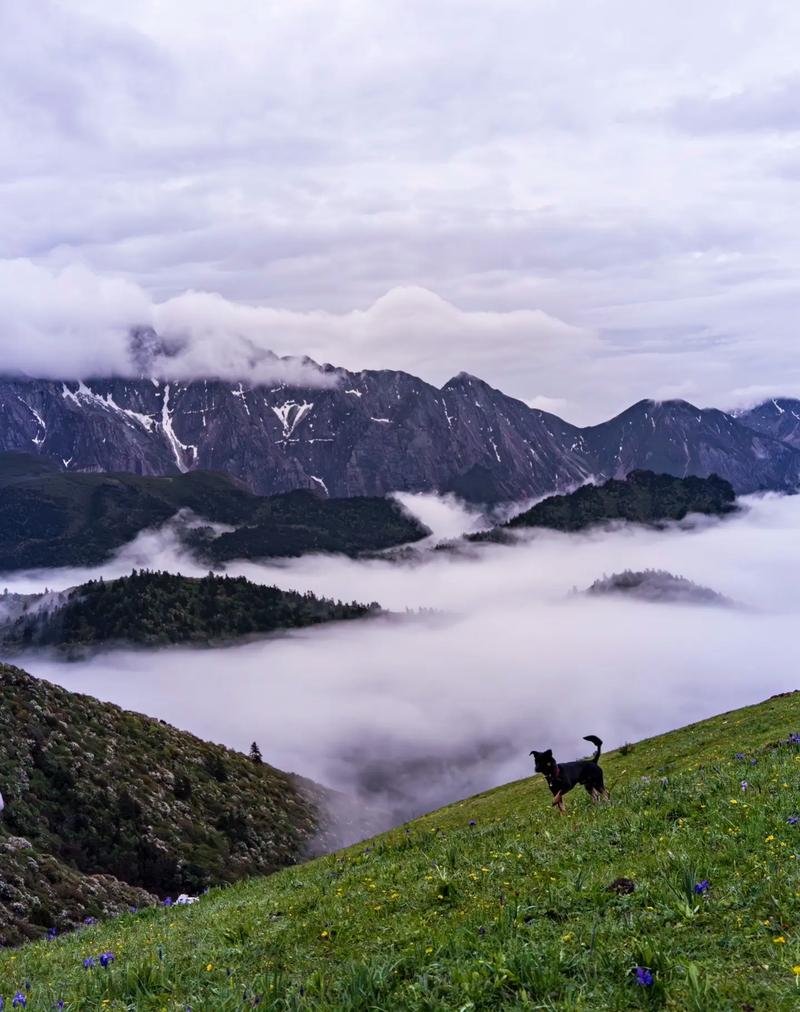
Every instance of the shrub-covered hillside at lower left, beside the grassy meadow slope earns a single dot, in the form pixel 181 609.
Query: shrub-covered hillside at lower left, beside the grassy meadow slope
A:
pixel 101 790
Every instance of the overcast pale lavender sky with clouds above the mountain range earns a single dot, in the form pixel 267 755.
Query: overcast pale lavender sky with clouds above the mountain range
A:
pixel 584 204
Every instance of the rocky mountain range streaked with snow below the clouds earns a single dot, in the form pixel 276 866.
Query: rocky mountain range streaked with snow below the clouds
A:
pixel 375 433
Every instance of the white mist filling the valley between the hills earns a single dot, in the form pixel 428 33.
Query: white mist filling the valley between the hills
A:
pixel 410 712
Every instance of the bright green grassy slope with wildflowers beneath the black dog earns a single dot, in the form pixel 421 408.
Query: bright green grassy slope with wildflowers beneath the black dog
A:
pixel 691 874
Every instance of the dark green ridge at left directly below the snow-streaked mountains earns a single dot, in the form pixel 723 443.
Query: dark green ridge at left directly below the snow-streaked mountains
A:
pixel 54 518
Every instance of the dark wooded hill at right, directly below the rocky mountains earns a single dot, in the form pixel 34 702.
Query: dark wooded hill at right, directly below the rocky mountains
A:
pixel 643 497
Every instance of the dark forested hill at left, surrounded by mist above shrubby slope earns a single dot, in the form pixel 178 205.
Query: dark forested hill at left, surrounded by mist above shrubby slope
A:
pixel 158 609
